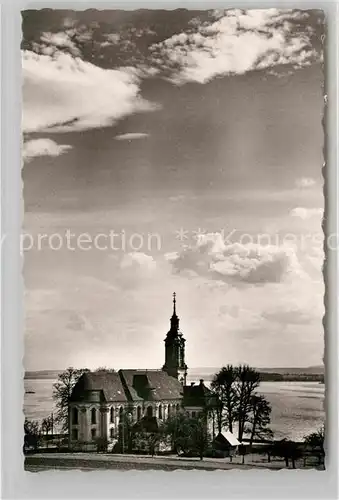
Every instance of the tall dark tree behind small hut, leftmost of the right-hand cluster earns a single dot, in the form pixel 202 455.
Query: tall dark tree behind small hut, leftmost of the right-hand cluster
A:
pixel 223 384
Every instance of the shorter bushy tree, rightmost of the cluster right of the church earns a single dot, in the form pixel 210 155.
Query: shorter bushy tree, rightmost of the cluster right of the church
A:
pixel 259 419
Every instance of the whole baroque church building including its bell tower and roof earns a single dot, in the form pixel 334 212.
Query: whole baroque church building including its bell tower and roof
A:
pixel 105 405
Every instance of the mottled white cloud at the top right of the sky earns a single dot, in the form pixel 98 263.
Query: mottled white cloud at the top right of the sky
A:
pixel 237 42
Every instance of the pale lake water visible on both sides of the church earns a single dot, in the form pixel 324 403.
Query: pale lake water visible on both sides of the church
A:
pixel 297 407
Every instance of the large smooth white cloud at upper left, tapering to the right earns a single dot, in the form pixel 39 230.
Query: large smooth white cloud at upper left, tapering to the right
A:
pixel 64 93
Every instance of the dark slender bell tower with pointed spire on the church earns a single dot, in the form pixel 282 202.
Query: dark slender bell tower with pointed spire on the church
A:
pixel 175 349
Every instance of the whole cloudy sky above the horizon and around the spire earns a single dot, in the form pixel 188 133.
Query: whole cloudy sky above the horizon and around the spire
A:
pixel 173 151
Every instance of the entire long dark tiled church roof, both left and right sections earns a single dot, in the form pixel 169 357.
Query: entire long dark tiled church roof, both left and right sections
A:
pixel 127 385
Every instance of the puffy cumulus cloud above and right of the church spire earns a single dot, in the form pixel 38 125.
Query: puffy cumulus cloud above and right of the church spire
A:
pixel 234 263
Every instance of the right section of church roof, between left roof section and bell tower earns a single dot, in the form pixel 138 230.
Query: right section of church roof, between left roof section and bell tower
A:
pixel 151 385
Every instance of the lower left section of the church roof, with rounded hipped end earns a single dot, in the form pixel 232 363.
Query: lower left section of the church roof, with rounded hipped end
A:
pixel 108 384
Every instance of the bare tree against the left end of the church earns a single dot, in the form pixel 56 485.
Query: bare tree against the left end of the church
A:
pixel 62 393
